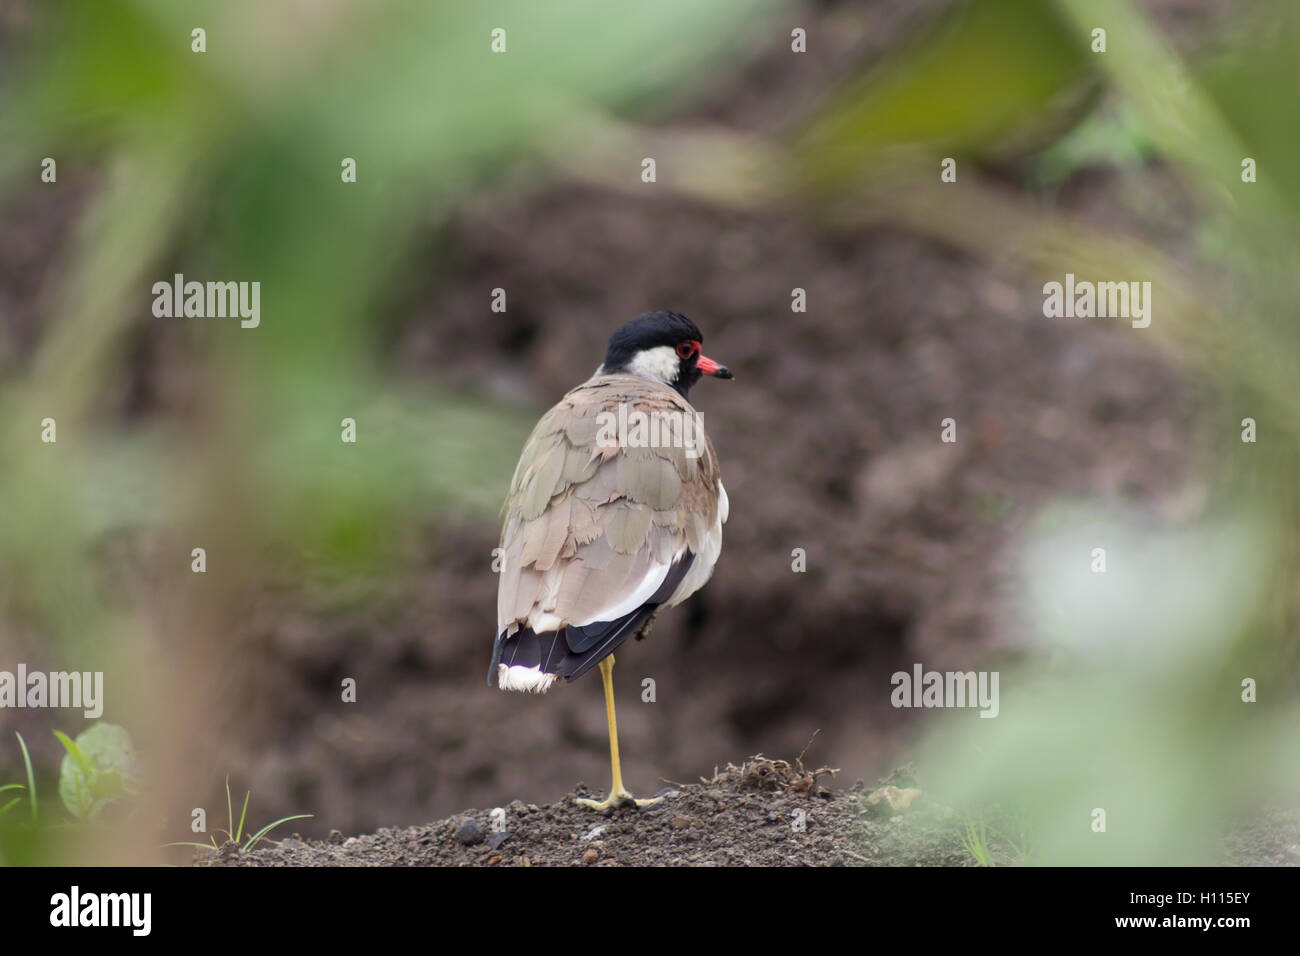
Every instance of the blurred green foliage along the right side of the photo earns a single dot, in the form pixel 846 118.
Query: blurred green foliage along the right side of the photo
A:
pixel 1133 702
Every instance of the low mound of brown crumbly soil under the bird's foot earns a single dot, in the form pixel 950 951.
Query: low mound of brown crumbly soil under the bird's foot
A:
pixel 762 812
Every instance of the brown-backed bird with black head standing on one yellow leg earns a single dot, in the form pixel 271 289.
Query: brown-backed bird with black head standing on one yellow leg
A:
pixel 616 511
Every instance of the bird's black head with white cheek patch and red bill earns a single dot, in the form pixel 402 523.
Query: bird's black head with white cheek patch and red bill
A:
pixel 662 347
